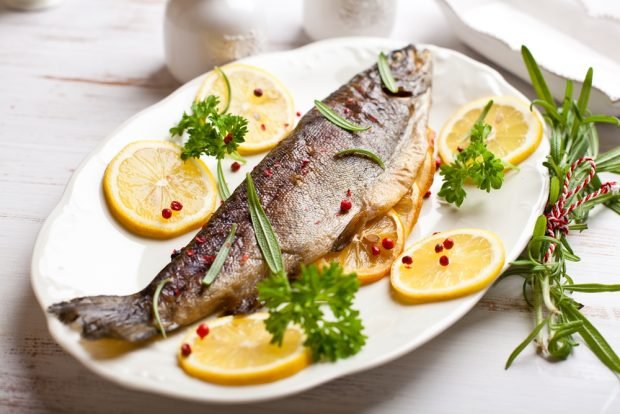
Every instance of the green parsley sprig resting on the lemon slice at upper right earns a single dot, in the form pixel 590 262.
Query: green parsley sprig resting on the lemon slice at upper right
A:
pixel 475 163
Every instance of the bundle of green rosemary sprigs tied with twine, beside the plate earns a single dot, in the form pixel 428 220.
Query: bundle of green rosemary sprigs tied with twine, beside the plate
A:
pixel 573 165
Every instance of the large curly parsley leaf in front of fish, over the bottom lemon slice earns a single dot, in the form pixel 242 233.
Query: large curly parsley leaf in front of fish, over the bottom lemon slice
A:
pixel 321 302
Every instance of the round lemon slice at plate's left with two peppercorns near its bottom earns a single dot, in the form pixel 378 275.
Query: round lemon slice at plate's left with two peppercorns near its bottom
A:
pixel 147 181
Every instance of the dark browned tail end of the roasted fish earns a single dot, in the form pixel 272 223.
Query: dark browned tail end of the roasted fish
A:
pixel 123 317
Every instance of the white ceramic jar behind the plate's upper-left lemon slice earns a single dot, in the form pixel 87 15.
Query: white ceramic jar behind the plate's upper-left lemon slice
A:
pixel 201 34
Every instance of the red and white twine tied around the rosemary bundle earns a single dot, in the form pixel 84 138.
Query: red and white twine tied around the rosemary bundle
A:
pixel 558 216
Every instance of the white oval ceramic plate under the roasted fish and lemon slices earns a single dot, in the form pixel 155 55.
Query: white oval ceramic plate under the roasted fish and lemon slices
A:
pixel 81 250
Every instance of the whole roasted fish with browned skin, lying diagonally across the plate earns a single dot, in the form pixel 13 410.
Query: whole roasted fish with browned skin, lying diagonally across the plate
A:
pixel 300 184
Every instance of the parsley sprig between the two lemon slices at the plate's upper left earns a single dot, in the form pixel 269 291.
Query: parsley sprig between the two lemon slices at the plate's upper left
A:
pixel 211 133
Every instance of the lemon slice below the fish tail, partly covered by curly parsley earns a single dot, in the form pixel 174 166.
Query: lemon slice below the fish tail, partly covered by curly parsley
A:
pixel 237 351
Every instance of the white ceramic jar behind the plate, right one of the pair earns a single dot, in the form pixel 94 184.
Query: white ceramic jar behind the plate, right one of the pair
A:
pixel 333 18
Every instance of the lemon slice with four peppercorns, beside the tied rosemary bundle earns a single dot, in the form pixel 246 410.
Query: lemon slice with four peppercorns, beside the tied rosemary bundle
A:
pixel 470 260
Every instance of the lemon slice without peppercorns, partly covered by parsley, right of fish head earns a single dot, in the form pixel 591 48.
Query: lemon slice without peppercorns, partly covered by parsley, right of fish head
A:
pixel 516 132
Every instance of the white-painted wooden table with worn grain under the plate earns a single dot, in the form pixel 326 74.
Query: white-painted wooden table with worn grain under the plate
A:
pixel 70 75
